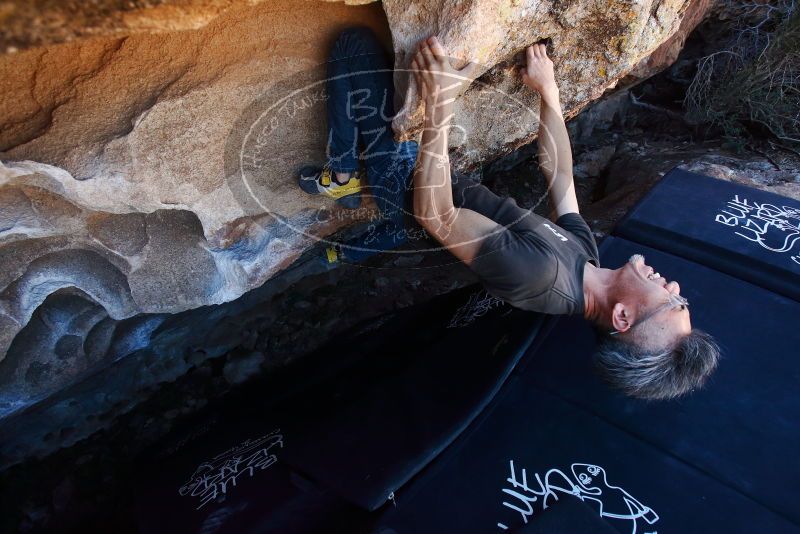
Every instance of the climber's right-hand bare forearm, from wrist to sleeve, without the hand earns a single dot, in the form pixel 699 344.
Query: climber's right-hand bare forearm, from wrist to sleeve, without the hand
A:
pixel 555 155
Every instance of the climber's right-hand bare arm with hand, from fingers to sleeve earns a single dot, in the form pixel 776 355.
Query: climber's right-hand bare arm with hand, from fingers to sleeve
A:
pixel 555 152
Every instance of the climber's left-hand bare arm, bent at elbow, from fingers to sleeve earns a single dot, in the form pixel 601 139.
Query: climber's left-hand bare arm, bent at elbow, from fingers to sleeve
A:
pixel 460 230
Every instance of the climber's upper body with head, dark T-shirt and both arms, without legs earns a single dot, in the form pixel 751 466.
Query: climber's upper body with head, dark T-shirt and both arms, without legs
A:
pixel 647 347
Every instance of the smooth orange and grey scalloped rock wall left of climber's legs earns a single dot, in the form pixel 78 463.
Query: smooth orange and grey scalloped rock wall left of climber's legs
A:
pixel 136 208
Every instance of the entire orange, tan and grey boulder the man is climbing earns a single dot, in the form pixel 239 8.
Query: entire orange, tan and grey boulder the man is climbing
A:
pixel 150 159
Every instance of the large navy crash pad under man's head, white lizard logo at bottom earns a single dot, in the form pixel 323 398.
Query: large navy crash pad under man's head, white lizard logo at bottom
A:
pixel 722 459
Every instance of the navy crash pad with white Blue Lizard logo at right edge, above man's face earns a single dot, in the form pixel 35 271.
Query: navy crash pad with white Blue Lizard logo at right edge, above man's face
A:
pixel 750 234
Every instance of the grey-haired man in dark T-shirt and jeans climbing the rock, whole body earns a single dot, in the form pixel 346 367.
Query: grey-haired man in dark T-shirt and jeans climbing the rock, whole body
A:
pixel 647 345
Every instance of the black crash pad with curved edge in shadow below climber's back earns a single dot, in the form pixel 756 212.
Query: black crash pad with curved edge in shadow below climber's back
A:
pixel 377 425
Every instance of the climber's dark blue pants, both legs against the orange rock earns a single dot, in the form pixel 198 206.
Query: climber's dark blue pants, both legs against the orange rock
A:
pixel 360 110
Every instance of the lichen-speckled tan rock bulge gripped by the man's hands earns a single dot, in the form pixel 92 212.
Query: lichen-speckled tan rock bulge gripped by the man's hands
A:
pixel 595 43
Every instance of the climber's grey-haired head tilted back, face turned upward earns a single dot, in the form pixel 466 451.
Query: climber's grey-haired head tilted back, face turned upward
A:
pixel 647 346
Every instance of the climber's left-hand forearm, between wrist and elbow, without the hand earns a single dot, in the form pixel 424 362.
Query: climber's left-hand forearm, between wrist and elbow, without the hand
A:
pixel 433 196
